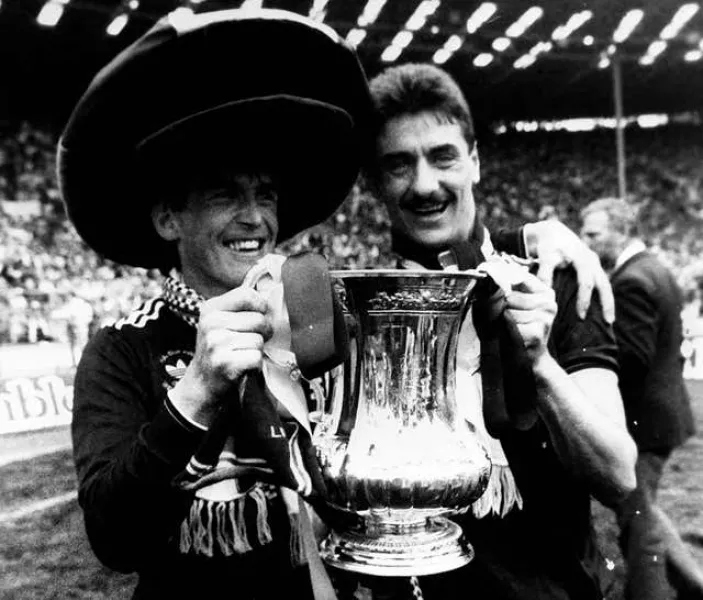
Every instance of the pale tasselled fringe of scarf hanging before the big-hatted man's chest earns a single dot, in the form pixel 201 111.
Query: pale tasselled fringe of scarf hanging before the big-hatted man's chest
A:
pixel 214 527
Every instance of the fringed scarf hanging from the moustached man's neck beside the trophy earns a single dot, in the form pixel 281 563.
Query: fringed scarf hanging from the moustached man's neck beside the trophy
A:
pixel 494 381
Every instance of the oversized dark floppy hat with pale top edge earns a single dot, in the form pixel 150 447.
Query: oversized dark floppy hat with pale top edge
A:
pixel 273 91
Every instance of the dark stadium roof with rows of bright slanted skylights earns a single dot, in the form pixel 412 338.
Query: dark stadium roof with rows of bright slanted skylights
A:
pixel 516 59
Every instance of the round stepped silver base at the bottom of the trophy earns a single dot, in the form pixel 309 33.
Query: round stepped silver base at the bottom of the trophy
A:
pixel 436 548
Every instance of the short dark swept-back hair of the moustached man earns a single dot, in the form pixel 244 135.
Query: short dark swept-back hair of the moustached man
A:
pixel 414 88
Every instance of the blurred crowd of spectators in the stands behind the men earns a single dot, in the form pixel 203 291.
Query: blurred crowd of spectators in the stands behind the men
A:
pixel 52 285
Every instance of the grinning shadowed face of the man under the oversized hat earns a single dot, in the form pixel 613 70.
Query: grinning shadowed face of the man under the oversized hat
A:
pixel 226 225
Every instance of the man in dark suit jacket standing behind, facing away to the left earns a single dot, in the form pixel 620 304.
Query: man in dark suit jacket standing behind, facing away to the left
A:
pixel 648 328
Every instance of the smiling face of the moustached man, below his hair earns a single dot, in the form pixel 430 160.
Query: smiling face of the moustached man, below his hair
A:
pixel 425 175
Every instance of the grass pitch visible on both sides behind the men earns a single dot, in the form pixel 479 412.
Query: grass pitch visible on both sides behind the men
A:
pixel 46 556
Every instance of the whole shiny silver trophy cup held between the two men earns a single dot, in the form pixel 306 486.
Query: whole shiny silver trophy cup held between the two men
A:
pixel 394 452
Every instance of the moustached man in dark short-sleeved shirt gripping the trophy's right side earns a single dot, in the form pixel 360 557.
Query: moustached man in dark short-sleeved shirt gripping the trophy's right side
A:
pixel 539 382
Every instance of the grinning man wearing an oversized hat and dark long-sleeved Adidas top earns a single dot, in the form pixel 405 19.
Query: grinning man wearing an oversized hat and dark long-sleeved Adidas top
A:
pixel 190 427
